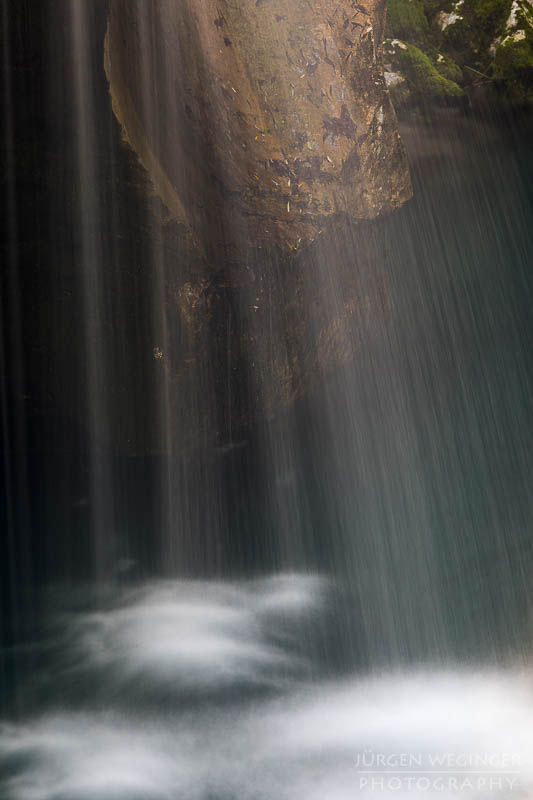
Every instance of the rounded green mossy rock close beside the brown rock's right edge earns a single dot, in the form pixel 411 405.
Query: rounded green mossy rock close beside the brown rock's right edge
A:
pixel 423 82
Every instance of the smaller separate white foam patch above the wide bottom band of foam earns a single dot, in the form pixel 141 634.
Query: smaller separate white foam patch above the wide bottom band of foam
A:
pixel 195 635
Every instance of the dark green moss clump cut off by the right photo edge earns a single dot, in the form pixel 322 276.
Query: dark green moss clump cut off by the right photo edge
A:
pixel 513 68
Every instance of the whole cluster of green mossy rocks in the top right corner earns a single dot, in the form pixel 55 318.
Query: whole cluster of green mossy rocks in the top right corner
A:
pixel 436 48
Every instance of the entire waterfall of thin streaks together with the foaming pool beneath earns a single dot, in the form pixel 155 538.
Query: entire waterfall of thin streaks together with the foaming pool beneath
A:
pixel 217 586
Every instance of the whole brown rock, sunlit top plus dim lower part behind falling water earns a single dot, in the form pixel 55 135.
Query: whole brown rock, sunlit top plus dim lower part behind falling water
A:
pixel 260 124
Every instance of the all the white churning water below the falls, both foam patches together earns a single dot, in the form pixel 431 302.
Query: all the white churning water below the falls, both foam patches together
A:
pixel 298 734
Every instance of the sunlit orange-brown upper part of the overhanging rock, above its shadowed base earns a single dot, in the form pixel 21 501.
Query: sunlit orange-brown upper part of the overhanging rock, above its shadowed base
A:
pixel 258 120
